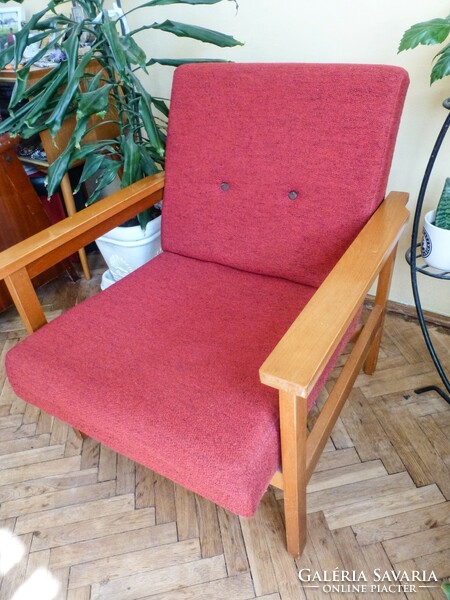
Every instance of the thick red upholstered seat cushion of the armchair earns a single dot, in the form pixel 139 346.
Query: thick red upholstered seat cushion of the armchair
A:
pixel 176 346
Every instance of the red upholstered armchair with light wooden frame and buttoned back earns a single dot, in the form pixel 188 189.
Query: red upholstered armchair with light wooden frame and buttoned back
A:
pixel 274 228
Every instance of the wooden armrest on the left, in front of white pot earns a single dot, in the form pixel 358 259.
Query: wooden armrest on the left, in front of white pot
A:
pixel 51 245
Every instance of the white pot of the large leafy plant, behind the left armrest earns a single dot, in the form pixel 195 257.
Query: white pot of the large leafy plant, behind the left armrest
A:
pixel 127 248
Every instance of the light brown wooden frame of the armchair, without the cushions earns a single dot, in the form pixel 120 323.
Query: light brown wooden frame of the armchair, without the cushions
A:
pixel 297 361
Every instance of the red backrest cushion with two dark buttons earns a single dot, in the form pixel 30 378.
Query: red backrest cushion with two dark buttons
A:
pixel 274 168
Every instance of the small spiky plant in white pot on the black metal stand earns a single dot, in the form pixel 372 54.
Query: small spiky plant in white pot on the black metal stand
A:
pixel 436 233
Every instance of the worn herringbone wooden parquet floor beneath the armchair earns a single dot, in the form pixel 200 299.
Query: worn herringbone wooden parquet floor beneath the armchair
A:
pixel 78 517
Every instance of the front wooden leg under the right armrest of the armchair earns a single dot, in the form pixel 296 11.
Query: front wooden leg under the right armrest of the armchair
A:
pixel 293 429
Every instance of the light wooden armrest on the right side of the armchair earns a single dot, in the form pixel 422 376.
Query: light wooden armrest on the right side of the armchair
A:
pixel 301 355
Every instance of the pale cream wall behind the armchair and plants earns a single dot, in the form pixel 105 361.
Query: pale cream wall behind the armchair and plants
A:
pixel 329 31
